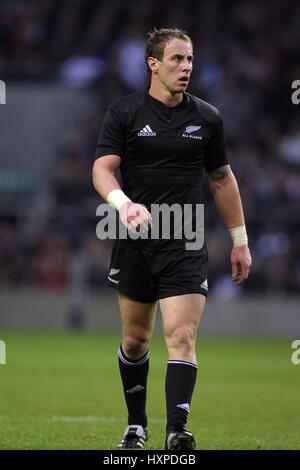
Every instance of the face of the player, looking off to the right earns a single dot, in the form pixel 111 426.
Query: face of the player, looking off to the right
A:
pixel 175 68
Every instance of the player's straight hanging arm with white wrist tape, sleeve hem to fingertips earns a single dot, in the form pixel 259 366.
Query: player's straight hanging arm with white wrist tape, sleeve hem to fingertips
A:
pixel 226 194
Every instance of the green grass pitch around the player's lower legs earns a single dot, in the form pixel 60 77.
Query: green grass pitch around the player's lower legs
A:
pixel 62 391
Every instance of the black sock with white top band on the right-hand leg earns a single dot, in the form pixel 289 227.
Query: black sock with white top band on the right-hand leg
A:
pixel 180 383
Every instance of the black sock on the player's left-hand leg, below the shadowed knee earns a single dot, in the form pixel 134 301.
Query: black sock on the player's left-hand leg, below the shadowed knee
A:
pixel 134 375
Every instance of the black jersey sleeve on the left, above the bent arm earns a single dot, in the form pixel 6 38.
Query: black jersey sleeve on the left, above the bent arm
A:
pixel 112 135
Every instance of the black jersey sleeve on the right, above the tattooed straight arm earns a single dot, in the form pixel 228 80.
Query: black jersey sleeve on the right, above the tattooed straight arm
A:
pixel 215 151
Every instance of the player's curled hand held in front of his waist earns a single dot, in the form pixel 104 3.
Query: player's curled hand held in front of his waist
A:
pixel 135 217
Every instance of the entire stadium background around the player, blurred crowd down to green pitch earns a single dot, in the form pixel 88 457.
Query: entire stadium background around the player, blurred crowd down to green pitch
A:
pixel 63 62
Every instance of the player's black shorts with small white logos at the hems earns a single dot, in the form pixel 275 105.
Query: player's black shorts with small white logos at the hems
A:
pixel 148 275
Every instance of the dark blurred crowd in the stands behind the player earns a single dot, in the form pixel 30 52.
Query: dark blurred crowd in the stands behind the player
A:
pixel 246 58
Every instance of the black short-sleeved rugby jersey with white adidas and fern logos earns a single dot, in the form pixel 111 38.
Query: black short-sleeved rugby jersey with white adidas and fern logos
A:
pixel 163 150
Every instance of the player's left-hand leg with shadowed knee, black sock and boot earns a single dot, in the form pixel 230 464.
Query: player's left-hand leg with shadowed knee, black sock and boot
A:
pixel 137 326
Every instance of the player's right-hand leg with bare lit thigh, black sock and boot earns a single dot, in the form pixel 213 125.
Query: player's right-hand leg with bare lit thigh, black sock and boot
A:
pixel 181 317
